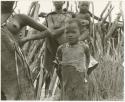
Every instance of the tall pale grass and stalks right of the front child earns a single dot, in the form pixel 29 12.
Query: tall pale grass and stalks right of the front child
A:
pixel 107 80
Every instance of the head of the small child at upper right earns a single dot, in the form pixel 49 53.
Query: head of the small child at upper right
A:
pixel 83 6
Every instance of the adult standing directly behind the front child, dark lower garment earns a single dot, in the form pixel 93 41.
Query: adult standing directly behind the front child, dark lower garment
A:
pixel 55 21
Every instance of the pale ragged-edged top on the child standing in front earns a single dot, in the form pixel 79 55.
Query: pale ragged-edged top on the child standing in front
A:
pixel 74 56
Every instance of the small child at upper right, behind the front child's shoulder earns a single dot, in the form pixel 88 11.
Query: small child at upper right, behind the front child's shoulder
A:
pixel 84 18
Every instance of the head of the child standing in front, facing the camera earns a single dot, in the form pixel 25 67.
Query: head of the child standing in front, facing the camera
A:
pixel 73 30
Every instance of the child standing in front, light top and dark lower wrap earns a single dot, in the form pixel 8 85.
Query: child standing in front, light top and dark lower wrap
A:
pixel 74 59
